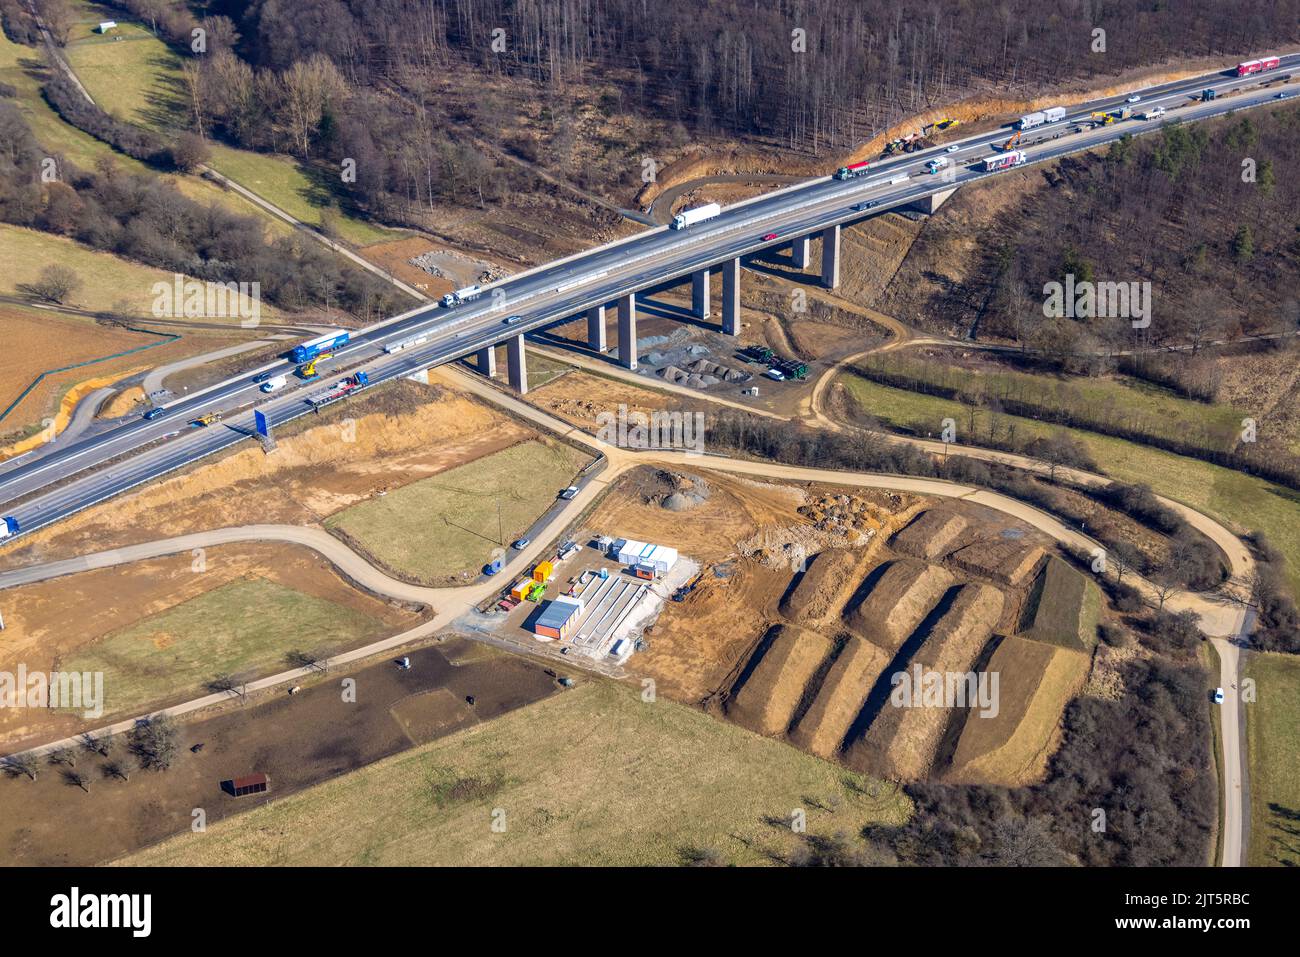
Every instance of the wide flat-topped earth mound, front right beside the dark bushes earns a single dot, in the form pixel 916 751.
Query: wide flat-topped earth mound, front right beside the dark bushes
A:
pixel 1012 748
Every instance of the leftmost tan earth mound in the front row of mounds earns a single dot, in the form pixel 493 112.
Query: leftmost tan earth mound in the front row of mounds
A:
pixel 773 686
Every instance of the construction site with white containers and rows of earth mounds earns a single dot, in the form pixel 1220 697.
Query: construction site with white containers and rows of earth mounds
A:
pixel 792 610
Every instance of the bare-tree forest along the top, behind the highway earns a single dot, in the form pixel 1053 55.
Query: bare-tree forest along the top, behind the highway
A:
pixel 335 80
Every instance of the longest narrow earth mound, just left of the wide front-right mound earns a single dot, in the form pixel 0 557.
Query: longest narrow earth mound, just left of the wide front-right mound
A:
pixel 903 742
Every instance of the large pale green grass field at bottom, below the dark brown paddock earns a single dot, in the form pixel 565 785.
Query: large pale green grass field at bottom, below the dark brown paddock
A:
pixel 591 777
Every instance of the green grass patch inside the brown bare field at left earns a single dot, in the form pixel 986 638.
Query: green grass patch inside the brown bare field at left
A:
pixel 246 626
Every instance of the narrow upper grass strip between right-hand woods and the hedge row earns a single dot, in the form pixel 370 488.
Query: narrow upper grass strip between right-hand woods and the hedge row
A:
pixel 1128 402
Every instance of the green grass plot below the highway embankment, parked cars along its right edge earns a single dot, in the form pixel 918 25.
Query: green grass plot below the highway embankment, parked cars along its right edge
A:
pixel 448 525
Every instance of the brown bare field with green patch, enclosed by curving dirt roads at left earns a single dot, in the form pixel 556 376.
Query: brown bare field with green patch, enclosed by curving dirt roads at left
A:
pixel 162 629
